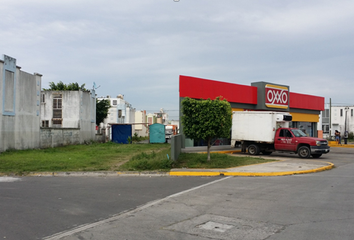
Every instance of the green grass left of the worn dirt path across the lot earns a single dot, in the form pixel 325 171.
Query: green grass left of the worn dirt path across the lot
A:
pixel 92 157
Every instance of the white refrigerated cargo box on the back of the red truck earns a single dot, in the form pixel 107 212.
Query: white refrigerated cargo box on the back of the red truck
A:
pixel 257 126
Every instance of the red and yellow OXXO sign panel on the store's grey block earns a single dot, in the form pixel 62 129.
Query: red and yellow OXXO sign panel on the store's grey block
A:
pixel 276 96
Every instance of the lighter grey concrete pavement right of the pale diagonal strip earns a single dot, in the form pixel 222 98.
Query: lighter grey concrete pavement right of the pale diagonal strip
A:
pixel 310 206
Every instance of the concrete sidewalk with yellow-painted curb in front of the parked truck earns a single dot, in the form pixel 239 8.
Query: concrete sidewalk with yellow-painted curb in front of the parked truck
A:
pixel 283 166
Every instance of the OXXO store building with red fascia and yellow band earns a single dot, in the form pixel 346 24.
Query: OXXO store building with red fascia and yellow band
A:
pixel 260 96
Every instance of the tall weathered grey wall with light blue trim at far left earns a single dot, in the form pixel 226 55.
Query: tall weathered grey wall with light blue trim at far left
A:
pixel 19 107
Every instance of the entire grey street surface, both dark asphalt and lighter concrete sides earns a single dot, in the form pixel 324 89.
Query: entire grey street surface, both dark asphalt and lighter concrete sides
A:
pixel 310 206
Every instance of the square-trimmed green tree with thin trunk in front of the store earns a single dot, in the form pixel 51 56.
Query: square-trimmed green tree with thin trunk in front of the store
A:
pixel 206 119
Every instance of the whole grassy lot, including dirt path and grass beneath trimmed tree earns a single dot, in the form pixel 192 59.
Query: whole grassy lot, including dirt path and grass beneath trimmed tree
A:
pixel 111 157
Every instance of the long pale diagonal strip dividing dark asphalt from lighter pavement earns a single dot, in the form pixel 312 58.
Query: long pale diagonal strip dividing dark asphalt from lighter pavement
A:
pixel 84 227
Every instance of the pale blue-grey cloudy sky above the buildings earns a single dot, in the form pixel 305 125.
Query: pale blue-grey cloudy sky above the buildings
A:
pixel 139 48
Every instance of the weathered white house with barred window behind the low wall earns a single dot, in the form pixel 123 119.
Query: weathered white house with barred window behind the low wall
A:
pixel 68 117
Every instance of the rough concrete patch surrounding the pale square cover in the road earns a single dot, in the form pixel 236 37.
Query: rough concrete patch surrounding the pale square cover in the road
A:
pixel 219 227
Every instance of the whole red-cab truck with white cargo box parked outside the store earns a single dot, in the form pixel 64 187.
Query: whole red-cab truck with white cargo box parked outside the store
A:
pixel 265 132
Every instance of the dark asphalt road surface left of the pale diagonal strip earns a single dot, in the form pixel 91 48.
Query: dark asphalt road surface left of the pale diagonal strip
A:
pixel 35 207
